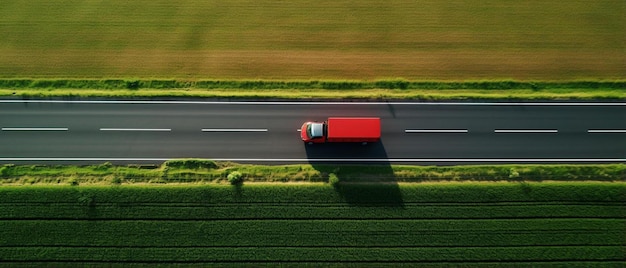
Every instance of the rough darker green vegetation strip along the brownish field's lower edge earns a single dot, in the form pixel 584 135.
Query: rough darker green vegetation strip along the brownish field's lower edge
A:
pixel 303 84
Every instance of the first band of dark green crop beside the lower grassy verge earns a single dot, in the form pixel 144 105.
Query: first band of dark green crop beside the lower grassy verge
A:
pixel 447 192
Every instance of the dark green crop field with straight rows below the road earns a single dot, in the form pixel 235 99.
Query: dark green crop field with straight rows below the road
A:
pixel 438 224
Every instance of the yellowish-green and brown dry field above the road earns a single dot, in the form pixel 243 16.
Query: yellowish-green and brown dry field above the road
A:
pixel 298 39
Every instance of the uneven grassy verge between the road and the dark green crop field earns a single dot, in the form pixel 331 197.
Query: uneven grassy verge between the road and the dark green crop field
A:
pixel 206 171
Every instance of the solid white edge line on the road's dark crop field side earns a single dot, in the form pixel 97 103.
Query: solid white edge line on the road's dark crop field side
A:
pixel 328 160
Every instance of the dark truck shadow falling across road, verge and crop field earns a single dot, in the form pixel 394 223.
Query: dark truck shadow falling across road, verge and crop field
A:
pixel 365 178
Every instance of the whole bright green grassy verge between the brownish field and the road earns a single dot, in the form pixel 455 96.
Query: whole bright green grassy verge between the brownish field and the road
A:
pixel 329 89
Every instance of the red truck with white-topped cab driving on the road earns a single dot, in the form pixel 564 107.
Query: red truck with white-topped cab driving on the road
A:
pixel 342 129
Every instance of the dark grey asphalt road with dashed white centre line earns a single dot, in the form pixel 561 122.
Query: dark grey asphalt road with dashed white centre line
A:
pixel 421 133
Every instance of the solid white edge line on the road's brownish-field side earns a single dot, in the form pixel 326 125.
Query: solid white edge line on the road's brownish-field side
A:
pixel 327 103
